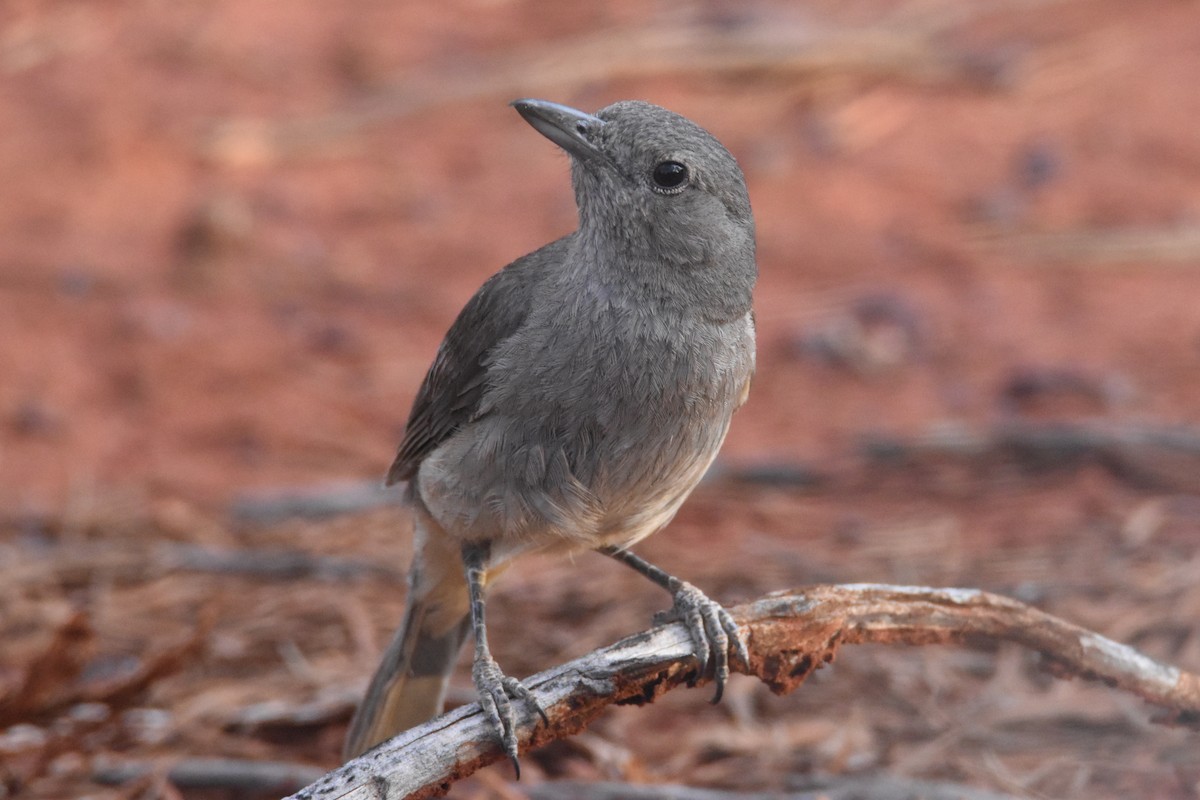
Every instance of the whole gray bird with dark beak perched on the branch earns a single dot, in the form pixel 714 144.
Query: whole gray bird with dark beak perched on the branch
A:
pixel 577 401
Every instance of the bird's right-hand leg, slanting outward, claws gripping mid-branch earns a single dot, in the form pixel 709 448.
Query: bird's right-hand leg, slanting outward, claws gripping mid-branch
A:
pixel 712 628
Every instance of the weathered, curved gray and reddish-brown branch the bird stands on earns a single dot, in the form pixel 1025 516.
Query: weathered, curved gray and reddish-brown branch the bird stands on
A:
pixel 790 635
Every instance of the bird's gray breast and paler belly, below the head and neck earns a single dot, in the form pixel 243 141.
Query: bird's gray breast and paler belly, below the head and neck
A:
pixel 601 417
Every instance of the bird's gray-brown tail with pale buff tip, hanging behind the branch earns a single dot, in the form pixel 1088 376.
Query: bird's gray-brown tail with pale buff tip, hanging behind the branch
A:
pixel 410 685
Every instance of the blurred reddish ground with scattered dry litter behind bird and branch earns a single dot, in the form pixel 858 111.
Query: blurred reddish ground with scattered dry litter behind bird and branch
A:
pixel 232 236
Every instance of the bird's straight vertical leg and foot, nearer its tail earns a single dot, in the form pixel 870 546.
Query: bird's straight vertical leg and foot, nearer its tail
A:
pixel 494 687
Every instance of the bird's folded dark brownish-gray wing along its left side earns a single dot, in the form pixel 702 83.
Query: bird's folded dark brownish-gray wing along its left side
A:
pixel 454 387
